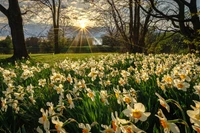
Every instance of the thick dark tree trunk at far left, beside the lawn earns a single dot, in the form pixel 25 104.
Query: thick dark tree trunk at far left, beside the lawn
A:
pixel 14 16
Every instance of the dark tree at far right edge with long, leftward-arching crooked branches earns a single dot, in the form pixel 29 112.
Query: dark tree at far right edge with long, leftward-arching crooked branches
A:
pixel 183 15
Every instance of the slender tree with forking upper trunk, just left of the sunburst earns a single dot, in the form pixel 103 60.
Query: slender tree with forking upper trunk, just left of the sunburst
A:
pixel 55 8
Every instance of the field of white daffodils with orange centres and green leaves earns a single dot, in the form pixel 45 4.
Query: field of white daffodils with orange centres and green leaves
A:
pixel 113 93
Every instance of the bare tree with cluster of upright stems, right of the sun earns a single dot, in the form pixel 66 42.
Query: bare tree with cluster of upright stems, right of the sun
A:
pixel 130 22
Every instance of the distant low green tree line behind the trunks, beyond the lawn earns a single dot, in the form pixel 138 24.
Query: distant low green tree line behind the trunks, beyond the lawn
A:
pixel 157 43
